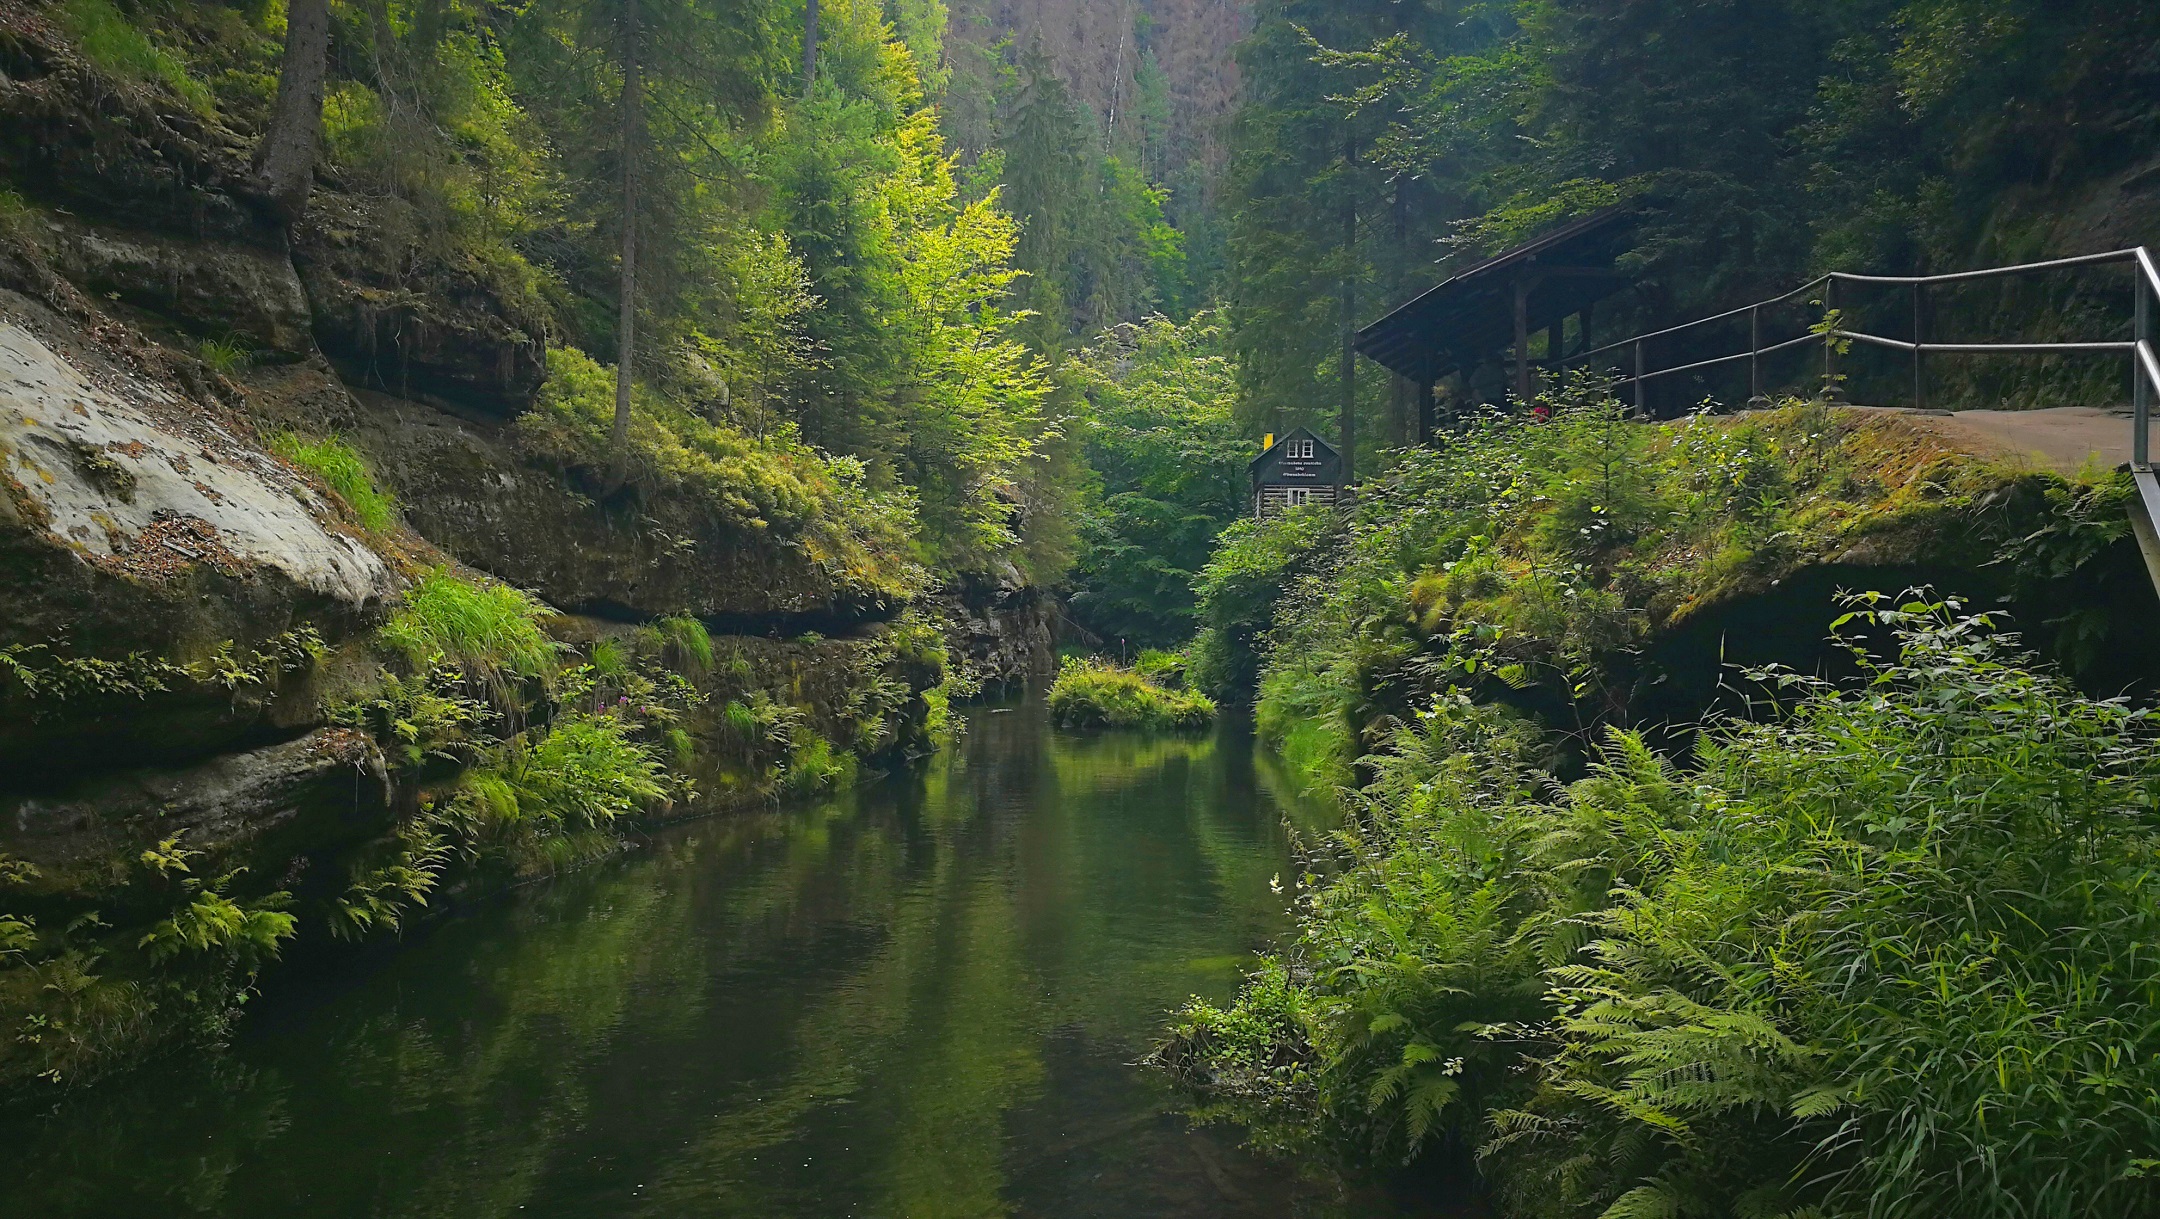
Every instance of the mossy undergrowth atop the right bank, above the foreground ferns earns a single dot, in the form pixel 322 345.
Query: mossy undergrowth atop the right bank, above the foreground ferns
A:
pixel 1537 563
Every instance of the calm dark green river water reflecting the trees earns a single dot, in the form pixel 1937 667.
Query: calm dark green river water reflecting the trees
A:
pixel 915 1002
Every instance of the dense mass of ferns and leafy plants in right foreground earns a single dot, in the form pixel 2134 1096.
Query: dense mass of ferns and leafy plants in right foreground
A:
pixel 1885 954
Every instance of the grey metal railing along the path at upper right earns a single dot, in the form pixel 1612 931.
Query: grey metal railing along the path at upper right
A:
pixel 2144 362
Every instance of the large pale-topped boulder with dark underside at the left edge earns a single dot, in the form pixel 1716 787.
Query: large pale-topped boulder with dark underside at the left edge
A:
pixel 141 533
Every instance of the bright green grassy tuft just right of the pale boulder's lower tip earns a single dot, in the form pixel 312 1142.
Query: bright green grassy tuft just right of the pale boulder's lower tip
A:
pixel 487 630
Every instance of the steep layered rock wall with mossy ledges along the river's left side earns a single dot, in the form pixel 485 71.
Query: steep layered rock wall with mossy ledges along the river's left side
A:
pixel 200 727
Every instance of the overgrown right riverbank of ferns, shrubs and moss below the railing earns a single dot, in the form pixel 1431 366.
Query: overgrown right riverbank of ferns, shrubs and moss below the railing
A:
pixel 1718 840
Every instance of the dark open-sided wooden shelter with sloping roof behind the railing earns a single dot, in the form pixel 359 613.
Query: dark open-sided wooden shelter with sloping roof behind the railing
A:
pixel 1489 312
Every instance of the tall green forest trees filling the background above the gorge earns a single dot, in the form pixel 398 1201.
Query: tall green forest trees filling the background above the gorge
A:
pixel 936 265
